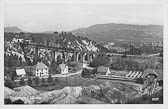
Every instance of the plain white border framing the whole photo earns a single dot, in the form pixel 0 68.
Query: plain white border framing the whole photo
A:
pixel 163 3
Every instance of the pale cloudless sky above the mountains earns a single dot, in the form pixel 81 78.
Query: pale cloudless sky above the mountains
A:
pixel 40 16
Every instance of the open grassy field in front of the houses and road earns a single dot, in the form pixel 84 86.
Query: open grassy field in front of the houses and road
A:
pixel 77 80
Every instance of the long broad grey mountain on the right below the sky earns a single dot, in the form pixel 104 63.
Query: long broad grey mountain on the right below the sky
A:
pixel 115 32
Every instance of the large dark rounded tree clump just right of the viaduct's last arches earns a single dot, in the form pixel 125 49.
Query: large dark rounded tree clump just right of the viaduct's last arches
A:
pixel 101 59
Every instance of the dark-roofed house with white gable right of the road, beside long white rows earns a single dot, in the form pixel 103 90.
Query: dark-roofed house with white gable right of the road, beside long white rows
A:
pixel 103 71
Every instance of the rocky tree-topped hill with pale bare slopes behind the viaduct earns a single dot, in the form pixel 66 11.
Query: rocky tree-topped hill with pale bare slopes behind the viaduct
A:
pixel 64 40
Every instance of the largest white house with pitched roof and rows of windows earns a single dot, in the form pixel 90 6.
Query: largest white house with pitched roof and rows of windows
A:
pixel 40 70
